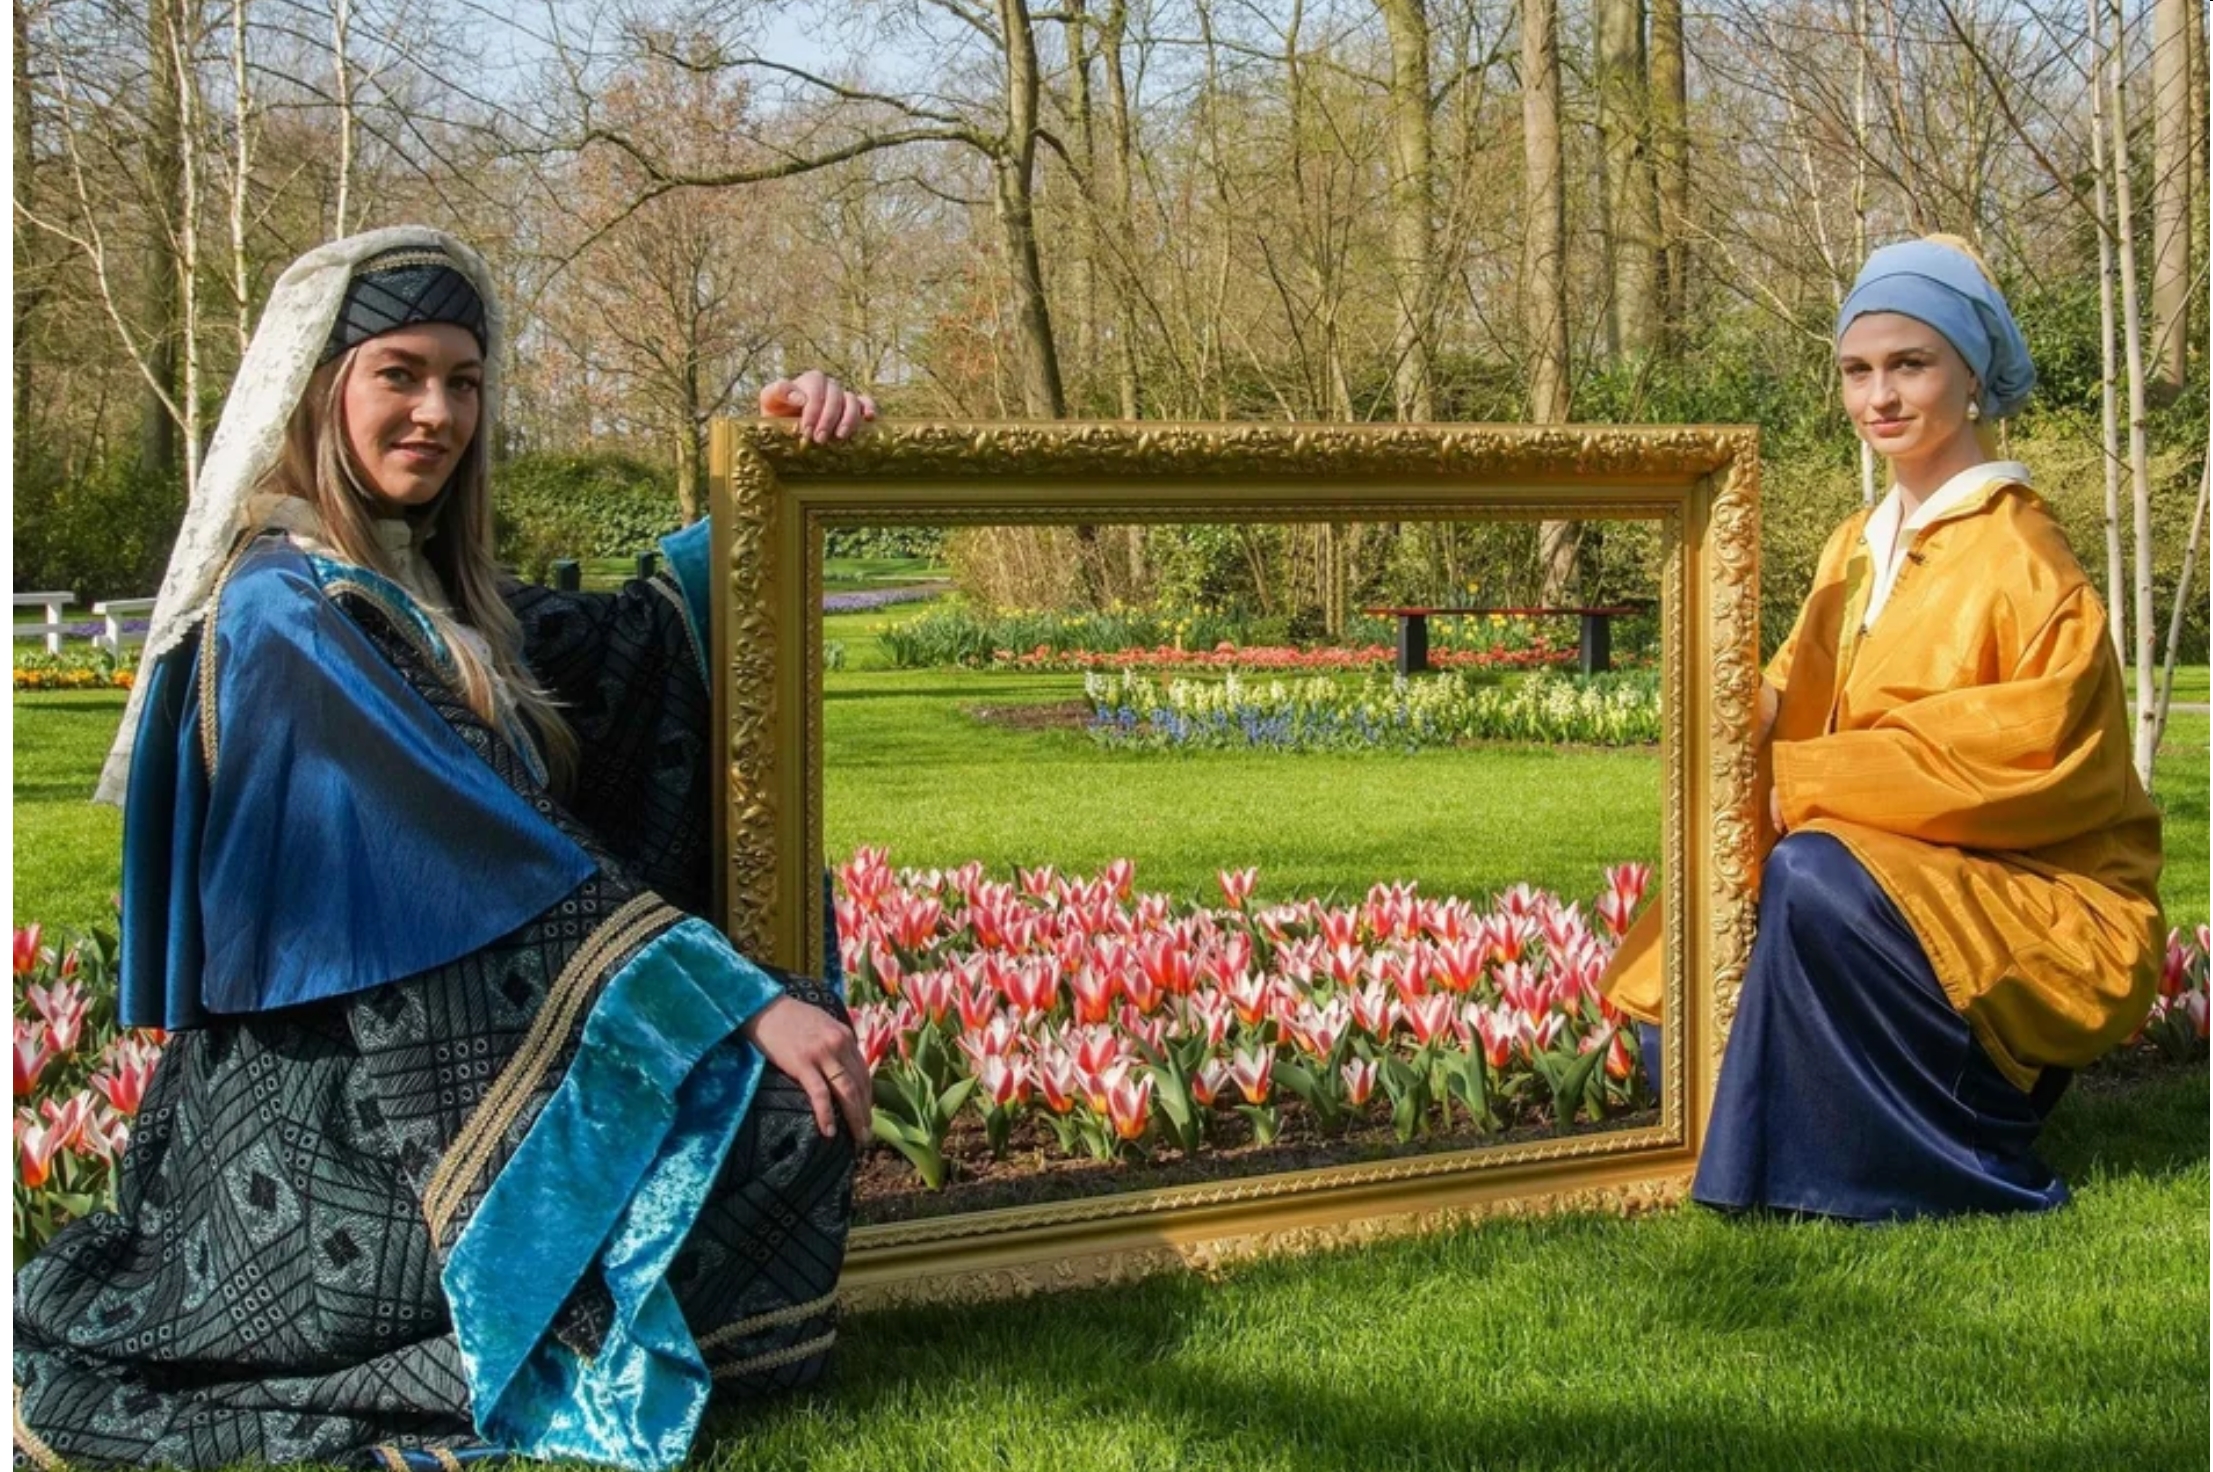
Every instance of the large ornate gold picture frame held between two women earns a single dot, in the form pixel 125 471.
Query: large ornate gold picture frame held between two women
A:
pixel 773 499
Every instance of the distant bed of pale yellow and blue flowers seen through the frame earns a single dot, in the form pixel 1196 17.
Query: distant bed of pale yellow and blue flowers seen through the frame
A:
pixel 1136 712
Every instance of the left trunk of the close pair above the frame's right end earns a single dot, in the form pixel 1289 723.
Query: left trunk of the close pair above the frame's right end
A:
pixel 1628 203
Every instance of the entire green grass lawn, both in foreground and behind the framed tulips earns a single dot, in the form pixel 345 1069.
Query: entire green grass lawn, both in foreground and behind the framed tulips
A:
pixel 1679 1340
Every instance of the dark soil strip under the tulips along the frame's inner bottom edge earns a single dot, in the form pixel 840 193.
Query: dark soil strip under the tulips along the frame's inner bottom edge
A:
pixel 1035 1172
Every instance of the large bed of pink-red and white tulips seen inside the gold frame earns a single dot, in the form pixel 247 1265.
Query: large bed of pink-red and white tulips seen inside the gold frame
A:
pixel 1072 1017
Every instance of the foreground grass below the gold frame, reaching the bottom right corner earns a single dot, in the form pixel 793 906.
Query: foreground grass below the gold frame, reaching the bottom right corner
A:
pixel 1679 1340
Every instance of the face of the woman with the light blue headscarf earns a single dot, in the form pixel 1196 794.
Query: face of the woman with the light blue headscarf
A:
pixel 1906 391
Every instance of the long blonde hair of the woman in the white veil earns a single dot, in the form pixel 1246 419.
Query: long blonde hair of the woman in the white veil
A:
pixel 318 468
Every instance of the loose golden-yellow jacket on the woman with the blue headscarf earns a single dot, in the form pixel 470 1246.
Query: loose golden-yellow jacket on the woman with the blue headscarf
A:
pixel 1973 751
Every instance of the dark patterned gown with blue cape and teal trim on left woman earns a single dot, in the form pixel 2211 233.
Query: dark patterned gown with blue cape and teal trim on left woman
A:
pixel 459 1146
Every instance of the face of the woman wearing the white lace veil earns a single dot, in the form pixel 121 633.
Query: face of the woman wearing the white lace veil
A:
pixel 411 406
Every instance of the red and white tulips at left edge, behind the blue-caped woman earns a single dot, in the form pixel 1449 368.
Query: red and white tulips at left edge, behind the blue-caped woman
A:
pixel 79 1084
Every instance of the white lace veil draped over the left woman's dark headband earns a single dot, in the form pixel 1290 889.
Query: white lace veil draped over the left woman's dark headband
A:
pixel 284 355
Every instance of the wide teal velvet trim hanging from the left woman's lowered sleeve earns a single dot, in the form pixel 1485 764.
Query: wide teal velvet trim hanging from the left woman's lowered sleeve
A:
pixel 610 1181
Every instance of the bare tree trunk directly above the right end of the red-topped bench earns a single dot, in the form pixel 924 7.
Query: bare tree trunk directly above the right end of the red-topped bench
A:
pixel 1546 258
